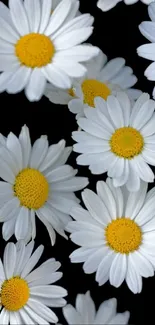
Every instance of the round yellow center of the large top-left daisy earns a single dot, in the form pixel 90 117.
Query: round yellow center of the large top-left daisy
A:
pixel 34 50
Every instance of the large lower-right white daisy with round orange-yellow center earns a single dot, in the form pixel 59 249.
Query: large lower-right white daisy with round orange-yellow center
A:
pixel 116 234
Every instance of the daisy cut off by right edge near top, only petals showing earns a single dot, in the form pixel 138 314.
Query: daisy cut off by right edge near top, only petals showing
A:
pixel 148 50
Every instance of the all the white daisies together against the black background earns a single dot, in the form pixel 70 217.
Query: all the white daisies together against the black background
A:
pixel 42 52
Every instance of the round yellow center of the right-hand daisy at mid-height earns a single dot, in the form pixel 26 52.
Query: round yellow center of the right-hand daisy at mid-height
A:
pixel 126 142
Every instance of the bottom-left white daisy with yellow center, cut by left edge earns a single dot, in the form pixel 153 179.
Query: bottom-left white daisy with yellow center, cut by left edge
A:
pixel 26 293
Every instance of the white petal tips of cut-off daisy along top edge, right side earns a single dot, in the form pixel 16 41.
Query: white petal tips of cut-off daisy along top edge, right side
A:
pixel 106 5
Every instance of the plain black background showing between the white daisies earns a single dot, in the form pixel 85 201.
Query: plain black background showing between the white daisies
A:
pixel 116 33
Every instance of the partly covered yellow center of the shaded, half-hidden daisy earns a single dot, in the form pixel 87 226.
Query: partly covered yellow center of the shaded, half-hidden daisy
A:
pixel 92 88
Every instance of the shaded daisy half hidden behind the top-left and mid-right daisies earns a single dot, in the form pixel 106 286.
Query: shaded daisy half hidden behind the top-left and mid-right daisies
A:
pixel 102 79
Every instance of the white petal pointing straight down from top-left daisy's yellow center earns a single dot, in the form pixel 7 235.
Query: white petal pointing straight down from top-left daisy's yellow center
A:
pixel 36 85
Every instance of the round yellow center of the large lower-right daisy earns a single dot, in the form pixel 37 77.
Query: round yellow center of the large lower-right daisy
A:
pixel 123 235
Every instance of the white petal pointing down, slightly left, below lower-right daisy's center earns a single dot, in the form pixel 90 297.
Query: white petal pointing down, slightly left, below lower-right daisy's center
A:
pixel 118 270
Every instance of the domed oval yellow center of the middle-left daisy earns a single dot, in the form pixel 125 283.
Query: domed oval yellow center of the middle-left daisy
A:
pixel 31 188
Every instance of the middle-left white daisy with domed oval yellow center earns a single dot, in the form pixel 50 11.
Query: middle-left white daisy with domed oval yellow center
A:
pixel 36 182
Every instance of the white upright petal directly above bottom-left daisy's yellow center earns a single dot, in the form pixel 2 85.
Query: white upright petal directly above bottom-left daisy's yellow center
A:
pixel 9 260
